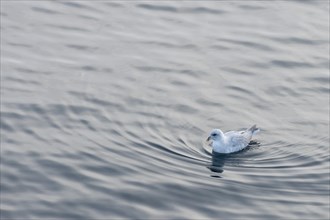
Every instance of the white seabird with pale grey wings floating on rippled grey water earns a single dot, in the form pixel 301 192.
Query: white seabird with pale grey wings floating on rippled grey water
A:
pixel 231 141
